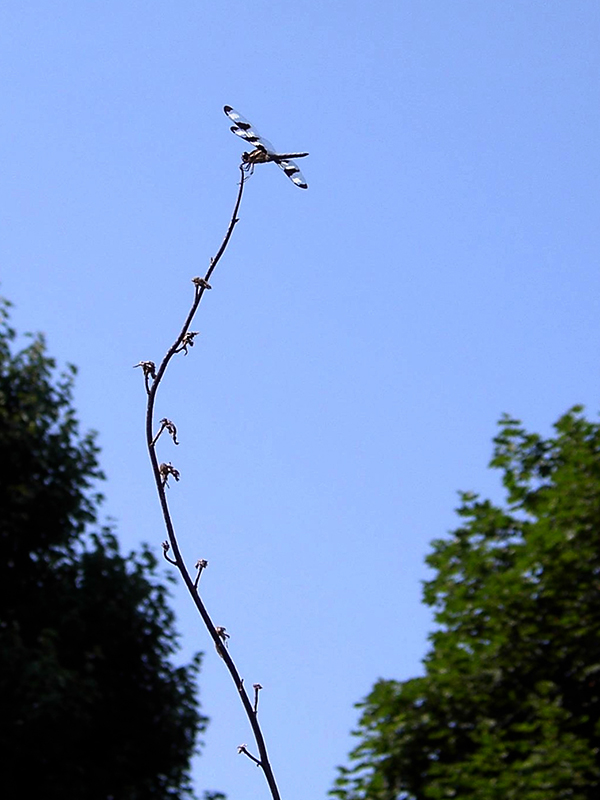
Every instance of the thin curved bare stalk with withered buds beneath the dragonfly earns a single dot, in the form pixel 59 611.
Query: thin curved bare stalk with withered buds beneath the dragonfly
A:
pixel 162 472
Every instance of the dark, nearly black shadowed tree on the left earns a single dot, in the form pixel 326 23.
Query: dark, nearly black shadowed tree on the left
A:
pixel 91 703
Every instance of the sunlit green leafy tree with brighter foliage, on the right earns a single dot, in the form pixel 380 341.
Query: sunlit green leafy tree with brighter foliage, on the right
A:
pixel 509 706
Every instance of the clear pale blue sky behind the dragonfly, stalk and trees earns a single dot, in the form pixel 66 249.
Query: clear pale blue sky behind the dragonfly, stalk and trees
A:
pixel 362 338
